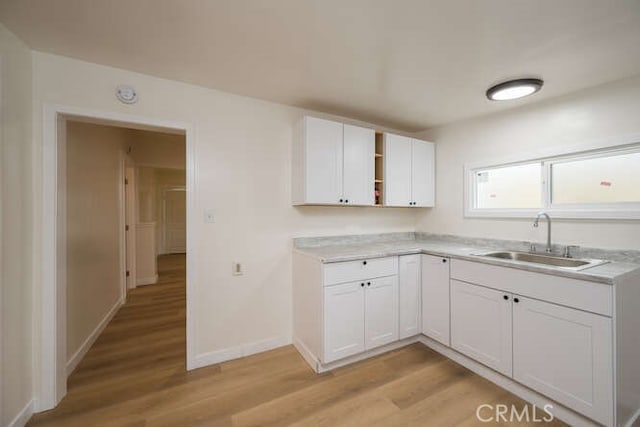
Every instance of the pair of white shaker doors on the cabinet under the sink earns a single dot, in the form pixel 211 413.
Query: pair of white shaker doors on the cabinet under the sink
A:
pixel 560 352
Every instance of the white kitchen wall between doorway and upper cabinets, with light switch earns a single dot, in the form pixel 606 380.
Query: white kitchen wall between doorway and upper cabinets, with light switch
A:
pixel 243 151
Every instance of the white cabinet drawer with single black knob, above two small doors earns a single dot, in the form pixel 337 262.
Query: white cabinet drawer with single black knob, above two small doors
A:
pixel 342 272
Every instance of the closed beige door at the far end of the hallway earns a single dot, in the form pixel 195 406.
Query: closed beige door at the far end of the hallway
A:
pixel 175 221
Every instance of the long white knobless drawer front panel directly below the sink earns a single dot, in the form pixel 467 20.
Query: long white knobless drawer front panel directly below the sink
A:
pixel 580 294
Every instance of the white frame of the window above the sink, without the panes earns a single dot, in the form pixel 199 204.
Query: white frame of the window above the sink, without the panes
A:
pixel 618 210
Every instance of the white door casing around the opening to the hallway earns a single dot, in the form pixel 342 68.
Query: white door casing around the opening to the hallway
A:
pixel 50 314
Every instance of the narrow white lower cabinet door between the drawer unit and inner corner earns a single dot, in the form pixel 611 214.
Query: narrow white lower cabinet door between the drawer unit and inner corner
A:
pixel 409 293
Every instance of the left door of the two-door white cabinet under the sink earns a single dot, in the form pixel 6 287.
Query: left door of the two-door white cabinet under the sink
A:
pixel 481 325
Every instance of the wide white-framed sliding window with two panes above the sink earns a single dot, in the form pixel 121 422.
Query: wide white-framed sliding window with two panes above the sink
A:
pixel 594 184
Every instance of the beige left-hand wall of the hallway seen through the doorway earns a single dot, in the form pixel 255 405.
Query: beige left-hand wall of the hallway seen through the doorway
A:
pixel 94 185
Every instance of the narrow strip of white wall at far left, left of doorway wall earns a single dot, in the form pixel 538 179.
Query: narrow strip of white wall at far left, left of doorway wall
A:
pixel 15 233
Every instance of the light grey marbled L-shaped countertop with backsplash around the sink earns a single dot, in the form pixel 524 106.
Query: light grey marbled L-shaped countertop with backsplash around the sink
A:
pixel 330 250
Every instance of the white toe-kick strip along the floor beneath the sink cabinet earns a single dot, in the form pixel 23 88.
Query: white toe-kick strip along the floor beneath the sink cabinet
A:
pixel 559 411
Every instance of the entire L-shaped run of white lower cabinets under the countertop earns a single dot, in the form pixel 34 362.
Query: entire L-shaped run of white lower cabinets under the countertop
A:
pixel 559 340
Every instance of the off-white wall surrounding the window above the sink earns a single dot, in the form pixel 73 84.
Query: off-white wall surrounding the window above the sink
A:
pixel 598 114
